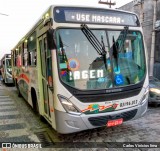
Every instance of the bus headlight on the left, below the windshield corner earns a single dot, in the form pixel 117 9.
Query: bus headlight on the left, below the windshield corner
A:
pixel 68 106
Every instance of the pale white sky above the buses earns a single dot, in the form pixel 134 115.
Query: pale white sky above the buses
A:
pixel 22 15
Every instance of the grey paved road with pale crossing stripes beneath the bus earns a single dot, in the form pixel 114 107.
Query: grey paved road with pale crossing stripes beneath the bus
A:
pixel 19 123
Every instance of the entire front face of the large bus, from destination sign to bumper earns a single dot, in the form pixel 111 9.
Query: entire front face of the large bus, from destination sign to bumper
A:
pixel 99 68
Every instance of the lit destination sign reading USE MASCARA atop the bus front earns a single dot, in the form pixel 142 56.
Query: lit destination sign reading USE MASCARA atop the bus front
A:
pixel 94 16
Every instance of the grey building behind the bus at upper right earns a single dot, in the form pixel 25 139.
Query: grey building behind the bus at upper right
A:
pixel 145 10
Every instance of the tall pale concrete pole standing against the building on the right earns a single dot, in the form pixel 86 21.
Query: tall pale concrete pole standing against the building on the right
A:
pixel 153 40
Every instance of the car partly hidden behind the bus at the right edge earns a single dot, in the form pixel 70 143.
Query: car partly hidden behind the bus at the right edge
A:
pixel 154 91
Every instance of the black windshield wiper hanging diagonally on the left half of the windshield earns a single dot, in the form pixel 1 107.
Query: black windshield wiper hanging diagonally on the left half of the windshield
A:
pixel 99 47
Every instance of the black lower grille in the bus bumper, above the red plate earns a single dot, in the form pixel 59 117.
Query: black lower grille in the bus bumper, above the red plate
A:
pixel 102 120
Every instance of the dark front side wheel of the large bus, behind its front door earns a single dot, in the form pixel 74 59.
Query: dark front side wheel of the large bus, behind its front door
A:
pixel 34 101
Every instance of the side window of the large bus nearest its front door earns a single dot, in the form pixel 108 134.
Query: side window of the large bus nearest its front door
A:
pixel 32 54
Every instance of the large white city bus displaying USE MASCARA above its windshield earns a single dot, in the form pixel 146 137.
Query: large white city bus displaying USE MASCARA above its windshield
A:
pixel 83 67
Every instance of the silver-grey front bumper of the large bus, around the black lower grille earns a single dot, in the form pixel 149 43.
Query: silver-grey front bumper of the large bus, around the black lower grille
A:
pixel 69 123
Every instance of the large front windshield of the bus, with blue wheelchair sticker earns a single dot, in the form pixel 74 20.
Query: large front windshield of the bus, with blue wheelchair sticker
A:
pixel 82 67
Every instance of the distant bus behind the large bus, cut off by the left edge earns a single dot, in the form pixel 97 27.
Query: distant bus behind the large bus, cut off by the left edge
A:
pixel 6 69
